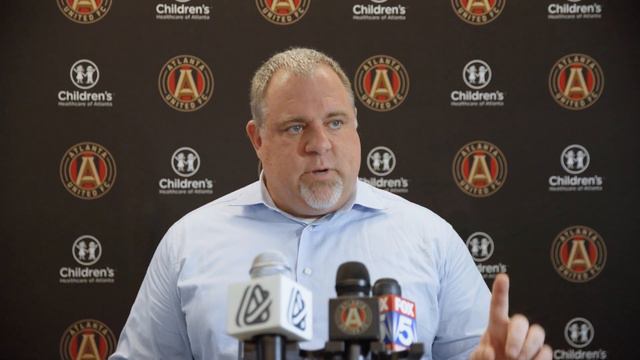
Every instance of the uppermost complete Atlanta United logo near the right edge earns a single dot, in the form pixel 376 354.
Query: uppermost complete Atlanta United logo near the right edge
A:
pixel 576 81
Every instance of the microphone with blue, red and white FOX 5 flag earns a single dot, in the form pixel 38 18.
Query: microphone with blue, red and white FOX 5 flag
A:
pixel 397 316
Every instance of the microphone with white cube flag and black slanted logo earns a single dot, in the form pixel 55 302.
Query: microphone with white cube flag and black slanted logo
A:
pixel 269 310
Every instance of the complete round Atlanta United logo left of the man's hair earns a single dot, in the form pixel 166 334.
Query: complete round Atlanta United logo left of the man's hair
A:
pixel 185 83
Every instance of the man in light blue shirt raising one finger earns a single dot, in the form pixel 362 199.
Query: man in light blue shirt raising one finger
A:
pixel 310 206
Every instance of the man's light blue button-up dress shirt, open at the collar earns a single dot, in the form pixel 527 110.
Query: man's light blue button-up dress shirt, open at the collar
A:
pixel 181 309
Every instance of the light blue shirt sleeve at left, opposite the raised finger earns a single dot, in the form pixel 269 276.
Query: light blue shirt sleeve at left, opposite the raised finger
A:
pixel 156 327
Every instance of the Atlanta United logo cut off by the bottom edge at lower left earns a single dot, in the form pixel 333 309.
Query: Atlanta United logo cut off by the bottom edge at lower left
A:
pixel 87 339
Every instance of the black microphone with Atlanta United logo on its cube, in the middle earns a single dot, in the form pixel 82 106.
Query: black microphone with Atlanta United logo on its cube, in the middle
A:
pixel 353 323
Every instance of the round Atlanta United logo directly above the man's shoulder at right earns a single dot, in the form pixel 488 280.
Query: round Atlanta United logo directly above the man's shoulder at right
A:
pixel 479 169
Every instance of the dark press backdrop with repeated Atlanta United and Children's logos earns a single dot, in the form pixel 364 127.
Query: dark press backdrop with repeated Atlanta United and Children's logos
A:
pixel 514 120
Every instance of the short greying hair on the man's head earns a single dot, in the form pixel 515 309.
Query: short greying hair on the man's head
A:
pixel 299 61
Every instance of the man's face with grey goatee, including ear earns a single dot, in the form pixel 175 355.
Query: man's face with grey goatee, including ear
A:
pixel 308 144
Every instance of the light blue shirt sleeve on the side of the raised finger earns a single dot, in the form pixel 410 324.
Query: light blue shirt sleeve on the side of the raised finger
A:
pixel 464 303
